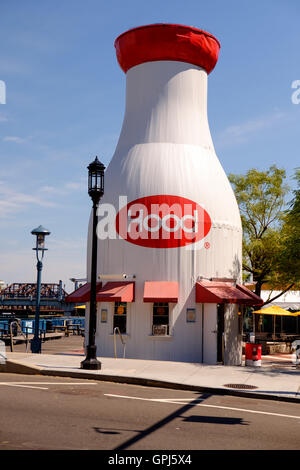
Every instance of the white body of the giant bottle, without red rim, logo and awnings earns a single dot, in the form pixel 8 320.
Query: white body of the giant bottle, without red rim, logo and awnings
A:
pixel 165 148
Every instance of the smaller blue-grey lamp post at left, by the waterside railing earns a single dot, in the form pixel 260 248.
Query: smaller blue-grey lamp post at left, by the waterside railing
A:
pixel 40 233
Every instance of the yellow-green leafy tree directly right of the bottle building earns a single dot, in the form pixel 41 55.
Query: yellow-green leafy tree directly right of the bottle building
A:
pixel 261 199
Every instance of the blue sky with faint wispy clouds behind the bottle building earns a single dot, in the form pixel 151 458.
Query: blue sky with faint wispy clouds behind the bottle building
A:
pixel 65 95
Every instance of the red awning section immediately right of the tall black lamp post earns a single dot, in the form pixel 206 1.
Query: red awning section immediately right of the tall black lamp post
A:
pixel 117 291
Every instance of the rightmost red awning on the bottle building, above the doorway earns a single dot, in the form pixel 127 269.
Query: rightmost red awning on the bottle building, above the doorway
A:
pixel 220 292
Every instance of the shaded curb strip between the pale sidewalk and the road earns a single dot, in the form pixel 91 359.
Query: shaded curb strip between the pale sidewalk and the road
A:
pixel 21 368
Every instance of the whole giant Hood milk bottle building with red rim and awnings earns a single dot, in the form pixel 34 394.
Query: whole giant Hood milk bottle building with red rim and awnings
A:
pixel 175 231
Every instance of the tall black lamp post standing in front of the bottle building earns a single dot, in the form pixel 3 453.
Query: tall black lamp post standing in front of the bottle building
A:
pixel 96 191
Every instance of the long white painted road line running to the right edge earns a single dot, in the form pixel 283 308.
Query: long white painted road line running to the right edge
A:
pixel 192 403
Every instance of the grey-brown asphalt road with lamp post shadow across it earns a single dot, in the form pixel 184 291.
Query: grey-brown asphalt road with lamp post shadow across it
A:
pixel 50 413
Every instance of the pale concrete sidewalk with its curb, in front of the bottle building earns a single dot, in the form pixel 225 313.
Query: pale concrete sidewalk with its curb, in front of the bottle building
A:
pixel 281 382
